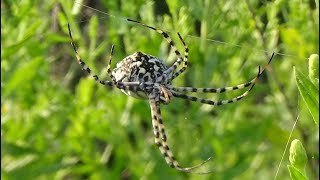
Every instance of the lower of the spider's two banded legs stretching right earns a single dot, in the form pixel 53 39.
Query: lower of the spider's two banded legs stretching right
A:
pixel 217 103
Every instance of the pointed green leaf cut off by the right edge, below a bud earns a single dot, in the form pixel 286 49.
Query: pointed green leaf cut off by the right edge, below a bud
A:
pixel 309 93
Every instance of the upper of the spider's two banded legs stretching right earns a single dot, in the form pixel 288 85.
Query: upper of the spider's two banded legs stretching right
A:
pixel 223 89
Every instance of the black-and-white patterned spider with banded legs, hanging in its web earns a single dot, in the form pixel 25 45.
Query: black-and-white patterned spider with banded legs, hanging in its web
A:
pixel 146 77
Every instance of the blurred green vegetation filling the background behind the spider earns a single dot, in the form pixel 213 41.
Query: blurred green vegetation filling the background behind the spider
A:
pixel 57 123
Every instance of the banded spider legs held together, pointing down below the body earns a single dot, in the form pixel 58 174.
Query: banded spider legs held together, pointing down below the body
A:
pixel 161 139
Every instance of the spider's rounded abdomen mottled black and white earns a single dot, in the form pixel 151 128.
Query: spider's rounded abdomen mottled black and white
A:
pixel 139 67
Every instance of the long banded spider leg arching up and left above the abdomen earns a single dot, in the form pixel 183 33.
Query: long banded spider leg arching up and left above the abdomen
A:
pixel 173 47
